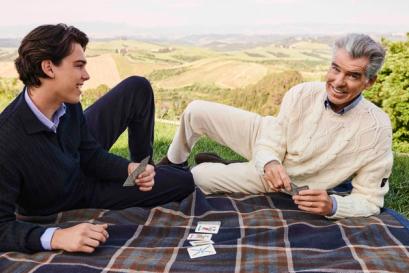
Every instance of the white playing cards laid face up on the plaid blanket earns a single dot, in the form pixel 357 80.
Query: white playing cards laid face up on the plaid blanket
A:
pixel 202 244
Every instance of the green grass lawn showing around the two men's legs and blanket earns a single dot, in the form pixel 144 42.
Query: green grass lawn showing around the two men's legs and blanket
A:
pixel 396 199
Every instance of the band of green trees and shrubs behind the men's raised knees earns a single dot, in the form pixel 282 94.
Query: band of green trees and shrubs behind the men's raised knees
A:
pixel 263 97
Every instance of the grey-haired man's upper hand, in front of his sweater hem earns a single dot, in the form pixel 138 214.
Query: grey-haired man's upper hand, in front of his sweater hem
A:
pixel 276 175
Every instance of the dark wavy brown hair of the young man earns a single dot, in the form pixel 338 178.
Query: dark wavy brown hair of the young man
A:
pixel 46 42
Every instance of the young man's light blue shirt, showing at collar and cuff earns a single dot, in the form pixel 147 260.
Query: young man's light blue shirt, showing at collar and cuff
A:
pixel 52 125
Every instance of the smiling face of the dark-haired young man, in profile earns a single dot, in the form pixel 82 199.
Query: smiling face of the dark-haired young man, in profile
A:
pixel 69 76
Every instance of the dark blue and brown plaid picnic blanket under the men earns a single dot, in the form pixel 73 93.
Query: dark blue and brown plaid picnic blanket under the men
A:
pixel 258 233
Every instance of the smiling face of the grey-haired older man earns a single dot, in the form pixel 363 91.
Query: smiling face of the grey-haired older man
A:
pixel 346 79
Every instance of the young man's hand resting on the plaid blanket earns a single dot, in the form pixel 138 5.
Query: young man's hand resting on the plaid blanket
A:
pixel 80 238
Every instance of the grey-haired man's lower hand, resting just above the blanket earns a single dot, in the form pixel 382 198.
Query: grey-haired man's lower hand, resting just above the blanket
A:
pixel 314 201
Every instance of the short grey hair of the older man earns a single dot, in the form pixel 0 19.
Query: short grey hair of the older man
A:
pixel 361 45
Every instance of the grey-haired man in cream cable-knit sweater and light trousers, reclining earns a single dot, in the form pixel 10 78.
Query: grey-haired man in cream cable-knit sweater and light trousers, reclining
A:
pixel 324 134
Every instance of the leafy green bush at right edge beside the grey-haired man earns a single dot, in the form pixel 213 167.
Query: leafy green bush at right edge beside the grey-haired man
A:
pixel 391 91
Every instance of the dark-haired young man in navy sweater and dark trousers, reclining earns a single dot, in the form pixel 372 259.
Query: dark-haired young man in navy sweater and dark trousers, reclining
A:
pixel 54 157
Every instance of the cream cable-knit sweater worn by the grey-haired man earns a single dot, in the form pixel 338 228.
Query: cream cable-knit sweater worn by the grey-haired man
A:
pixel 321 148
